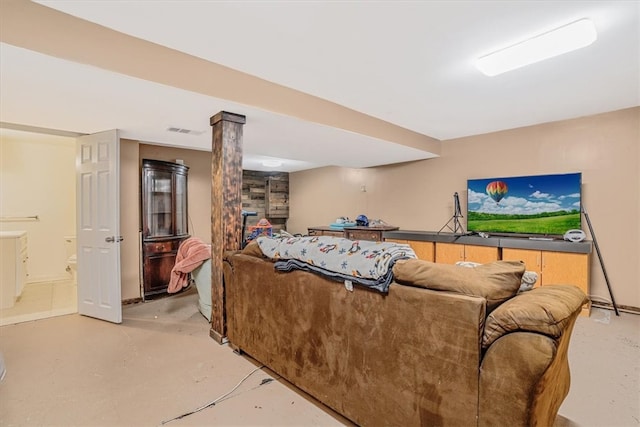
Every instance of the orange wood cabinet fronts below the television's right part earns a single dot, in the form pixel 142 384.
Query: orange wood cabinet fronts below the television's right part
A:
pixel 555 268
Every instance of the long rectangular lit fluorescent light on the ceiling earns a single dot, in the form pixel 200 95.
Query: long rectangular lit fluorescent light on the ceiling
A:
pixel 565 39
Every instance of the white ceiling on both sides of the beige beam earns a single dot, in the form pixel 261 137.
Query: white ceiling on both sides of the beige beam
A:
pixel 408 63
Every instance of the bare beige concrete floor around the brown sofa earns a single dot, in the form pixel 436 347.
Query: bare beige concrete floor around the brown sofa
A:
pixel 161 363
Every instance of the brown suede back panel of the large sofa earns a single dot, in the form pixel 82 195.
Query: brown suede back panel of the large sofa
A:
pixel 409 357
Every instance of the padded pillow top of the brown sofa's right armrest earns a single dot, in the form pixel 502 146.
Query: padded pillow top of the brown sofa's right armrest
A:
pixel 545 310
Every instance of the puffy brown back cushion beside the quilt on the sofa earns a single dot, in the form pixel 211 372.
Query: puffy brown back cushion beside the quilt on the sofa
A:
pixel 496 282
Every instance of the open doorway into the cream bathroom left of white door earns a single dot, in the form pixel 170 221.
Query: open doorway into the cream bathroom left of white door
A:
pixel 37 184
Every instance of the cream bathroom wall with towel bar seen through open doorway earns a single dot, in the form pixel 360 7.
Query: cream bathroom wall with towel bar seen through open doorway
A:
pixel 37 177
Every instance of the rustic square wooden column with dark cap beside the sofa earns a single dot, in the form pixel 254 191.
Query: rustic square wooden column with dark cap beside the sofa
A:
pixel 226 208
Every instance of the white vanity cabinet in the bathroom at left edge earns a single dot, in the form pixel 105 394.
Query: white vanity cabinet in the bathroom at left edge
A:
pixel 13 259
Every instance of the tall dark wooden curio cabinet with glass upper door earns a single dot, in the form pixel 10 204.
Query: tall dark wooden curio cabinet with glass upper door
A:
pixel 164 221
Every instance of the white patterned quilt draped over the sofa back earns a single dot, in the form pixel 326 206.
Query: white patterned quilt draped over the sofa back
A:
pixel 360 261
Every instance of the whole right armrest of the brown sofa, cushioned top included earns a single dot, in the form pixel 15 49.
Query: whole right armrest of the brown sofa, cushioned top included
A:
pixel 524 374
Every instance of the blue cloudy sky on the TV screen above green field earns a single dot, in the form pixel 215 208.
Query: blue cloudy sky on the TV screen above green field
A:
pixel 527 195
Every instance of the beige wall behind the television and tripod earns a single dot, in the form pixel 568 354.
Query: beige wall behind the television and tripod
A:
pixel 419 195
